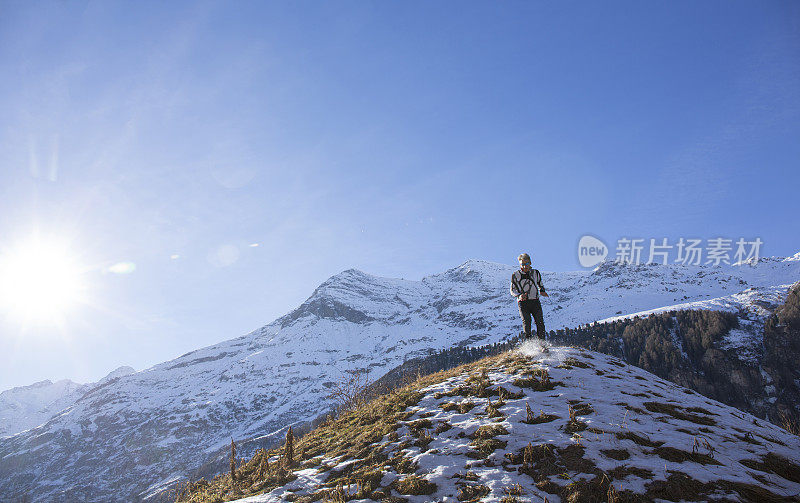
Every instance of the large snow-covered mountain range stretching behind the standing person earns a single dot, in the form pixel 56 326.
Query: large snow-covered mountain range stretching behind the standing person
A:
pixel 126 439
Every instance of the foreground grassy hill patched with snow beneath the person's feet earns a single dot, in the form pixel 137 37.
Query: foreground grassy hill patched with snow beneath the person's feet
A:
pixel 644 437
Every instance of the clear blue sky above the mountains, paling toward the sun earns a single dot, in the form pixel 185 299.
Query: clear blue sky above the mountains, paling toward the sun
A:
pixel 399 138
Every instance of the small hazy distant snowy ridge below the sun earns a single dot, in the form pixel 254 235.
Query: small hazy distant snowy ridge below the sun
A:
pixel 24 407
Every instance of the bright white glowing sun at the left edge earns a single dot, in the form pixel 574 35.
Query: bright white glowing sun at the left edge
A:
pixel 40 282
